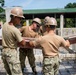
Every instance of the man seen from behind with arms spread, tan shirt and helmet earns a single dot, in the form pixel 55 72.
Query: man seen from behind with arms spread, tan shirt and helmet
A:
pixel 50 44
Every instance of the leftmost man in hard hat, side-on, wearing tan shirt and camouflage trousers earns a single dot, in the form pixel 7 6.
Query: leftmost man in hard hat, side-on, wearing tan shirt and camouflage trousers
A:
pixel 11 36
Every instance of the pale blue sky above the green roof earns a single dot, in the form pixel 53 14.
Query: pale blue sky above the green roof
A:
pixel 38 4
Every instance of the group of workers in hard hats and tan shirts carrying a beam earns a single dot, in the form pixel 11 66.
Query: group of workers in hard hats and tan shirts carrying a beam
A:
pixel 14 63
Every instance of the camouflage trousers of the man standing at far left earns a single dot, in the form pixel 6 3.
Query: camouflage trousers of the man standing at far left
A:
pixel 11 61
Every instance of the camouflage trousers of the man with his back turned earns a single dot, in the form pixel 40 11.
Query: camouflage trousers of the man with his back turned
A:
pixel 50 65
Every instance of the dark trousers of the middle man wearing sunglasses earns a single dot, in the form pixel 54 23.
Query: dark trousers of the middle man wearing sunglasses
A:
pixel 23 52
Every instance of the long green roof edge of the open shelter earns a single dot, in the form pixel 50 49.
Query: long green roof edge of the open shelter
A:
pixel 41 11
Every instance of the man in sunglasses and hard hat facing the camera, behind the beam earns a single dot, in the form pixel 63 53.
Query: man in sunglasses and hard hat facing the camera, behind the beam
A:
pixel 29 31
